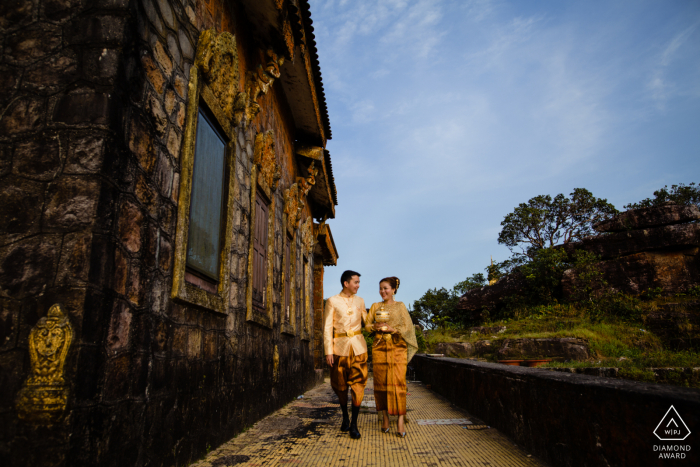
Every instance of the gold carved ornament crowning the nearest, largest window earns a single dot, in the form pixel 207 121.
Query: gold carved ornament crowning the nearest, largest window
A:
pixel 217 57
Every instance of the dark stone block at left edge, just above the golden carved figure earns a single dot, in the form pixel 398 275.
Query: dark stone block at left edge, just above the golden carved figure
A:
pixel 28 267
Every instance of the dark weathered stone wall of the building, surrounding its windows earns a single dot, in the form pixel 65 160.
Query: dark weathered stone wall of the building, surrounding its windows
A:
pixel 91 131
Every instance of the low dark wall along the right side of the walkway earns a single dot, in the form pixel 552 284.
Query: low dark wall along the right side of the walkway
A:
pixel 567 419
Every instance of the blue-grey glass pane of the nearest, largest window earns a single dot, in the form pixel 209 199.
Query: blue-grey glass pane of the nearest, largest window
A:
pixel 207 198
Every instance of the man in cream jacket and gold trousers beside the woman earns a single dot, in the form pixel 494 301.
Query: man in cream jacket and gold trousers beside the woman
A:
pixel 345 347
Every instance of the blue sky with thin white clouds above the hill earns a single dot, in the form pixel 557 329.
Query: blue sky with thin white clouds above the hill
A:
pixel 448 114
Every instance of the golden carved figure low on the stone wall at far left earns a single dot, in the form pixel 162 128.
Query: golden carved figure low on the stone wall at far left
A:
pixel 44 395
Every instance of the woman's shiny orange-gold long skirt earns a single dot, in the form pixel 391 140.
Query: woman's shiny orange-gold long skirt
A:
pixel 389 360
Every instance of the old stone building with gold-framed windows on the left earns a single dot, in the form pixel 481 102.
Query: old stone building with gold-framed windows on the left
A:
pixel 161 166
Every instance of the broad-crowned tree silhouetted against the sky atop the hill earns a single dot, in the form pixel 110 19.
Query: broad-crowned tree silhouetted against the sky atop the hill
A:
pixel 544 222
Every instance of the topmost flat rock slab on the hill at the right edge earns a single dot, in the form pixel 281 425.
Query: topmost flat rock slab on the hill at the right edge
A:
pixel 634 219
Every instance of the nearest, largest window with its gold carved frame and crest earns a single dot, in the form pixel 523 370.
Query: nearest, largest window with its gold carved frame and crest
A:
pixel 206 201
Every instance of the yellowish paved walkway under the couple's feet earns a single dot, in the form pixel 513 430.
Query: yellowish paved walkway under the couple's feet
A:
pixel 306 433
